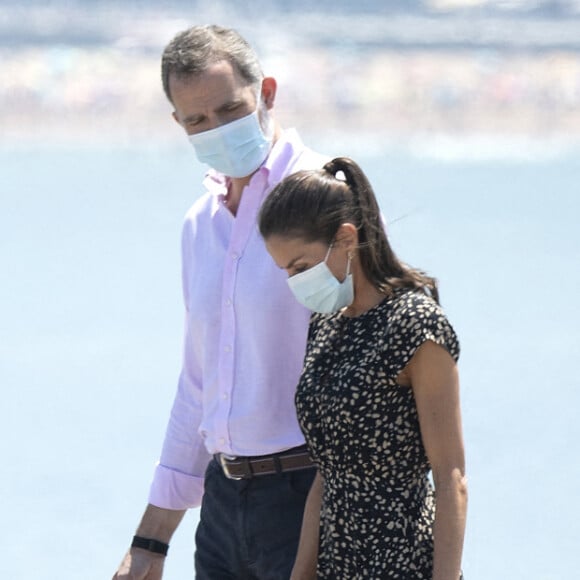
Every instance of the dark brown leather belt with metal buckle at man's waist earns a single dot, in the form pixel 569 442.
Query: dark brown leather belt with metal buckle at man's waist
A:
pixel 248 467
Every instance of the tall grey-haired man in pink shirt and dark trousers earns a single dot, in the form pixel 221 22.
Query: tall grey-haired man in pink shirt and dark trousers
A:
pixel 233 417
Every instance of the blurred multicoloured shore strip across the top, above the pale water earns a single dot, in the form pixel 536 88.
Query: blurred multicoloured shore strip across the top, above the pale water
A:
pixel 74 70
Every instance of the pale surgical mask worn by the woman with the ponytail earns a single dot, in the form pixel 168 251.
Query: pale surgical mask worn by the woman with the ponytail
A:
pixel 318 289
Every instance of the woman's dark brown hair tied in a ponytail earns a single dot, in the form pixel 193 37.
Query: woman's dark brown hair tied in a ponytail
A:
pixel 313 204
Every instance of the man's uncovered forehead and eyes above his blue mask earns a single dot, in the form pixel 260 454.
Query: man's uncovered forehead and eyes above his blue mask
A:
pixel 215 97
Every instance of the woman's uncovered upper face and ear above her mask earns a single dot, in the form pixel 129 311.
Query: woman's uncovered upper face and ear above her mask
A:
pixel 296 255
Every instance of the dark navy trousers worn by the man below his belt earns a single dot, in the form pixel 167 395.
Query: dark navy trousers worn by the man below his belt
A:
pixel 249 529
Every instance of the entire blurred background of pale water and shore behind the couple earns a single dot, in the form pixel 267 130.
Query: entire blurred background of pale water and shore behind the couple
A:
pixel 466 117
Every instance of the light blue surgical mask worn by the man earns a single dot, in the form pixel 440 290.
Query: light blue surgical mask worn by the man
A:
pixel 236 149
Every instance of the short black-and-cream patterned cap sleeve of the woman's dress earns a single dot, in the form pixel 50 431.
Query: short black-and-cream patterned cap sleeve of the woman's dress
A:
pixel 417 319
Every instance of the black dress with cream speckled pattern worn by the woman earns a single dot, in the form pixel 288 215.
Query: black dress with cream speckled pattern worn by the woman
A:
pixel 363 431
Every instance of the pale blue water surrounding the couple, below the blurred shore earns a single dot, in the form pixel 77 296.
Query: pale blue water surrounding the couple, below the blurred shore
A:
pixel 90 339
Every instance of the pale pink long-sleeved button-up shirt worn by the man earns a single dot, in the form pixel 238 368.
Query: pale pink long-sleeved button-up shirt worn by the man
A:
pixel 245 336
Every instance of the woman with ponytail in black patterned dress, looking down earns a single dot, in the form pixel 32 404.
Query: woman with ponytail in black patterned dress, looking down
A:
pixel 378 399
